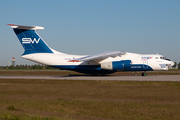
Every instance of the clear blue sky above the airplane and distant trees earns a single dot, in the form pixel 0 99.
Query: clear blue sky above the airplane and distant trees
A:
pixel 87 27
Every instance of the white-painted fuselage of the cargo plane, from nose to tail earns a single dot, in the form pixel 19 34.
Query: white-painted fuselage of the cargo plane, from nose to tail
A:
pixel 138 60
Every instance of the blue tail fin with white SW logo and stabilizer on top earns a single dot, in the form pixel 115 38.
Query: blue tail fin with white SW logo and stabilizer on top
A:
pixel 30 40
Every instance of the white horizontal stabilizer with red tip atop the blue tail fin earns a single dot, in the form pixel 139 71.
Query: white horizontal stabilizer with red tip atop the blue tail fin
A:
pixel 26 27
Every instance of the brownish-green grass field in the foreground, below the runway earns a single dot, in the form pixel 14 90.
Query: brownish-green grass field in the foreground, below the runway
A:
pixel 24 99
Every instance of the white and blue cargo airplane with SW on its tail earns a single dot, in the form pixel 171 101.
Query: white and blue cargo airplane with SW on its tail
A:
pixel 37 50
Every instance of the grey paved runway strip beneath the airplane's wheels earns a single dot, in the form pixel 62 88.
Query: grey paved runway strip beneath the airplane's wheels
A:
pixel 120 78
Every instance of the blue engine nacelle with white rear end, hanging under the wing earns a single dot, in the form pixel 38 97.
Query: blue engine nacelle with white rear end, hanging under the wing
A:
pixel 116 65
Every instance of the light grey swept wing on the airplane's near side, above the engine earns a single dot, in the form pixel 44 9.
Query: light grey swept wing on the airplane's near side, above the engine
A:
pixel 100 56
